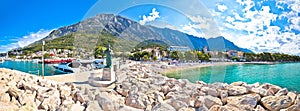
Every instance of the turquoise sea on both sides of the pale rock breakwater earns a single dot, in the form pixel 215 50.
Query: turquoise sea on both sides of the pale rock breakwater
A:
pixel 284 75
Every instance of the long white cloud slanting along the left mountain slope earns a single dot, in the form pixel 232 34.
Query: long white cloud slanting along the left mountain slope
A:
pixel 25 40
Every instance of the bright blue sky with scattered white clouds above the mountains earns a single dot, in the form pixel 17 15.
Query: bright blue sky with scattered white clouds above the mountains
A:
pixel 259 25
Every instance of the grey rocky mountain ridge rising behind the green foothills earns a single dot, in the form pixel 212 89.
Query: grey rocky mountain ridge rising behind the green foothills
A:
pixel 126 34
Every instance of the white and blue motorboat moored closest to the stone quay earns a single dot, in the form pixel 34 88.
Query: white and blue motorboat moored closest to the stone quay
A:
pixel 65 68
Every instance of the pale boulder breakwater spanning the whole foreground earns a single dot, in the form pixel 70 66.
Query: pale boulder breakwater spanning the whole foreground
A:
pixel 139 87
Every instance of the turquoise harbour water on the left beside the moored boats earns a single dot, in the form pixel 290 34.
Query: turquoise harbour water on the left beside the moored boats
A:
pixel 28 67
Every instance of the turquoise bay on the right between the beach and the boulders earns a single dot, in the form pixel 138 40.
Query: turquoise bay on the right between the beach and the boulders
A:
pixel 284 75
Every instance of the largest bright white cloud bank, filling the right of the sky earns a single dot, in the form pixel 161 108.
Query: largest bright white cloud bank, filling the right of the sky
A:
pixel 261 35
